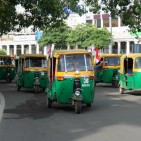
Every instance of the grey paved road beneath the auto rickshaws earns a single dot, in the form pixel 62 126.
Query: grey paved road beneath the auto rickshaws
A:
pixel 112 117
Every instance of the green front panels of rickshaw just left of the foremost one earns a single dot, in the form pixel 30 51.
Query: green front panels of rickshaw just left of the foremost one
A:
pixel 27 80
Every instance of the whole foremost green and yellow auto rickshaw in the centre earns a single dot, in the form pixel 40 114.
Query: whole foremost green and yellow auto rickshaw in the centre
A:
pixel 71 79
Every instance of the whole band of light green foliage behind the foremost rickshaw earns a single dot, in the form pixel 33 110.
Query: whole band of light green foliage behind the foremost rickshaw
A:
pixel 83 35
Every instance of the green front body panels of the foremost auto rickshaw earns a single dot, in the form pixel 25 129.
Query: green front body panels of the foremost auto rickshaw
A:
pixel 62 91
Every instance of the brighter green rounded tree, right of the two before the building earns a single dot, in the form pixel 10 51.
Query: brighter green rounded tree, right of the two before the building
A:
pixel 86 35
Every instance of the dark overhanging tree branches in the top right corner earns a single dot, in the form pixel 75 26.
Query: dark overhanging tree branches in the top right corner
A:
pixel 128 10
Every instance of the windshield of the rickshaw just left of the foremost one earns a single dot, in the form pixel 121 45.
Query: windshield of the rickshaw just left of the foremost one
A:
pixel 35 62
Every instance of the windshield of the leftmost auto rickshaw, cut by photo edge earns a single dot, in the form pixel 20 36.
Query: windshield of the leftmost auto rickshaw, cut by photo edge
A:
pixel 6 61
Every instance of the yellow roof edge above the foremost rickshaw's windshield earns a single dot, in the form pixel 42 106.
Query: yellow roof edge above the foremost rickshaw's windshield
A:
pixel 56 53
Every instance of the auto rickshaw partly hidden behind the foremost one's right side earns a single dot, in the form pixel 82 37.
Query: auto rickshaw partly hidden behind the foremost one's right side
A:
pixel 107 69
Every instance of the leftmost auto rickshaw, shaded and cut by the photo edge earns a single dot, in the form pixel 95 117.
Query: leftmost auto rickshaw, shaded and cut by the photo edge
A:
pixel 7 68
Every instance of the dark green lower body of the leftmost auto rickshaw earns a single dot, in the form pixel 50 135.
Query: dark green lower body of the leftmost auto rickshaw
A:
pixel 4 70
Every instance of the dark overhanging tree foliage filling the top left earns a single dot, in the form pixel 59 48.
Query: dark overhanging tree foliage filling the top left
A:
pixel 39 13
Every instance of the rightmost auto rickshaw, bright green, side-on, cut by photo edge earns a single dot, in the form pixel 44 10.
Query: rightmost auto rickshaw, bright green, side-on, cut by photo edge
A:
pixel 130 73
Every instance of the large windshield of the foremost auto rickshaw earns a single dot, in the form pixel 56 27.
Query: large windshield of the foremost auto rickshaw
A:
pixel 81 62
